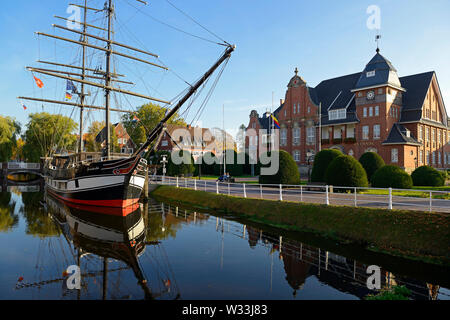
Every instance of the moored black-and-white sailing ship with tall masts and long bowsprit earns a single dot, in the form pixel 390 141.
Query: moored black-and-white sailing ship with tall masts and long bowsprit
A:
pixel 107 181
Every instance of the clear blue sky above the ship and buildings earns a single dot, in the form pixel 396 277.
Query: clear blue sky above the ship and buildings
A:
pixel 324 39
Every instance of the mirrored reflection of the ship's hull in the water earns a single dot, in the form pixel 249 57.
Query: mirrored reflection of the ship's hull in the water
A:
pixel 119 237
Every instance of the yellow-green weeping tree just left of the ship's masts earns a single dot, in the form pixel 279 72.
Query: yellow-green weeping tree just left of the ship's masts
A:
pixel 46 134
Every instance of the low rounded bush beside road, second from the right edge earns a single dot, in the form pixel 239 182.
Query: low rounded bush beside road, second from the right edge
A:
pixel 391 177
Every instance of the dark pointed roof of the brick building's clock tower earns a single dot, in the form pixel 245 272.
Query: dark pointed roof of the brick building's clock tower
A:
pixel 379 71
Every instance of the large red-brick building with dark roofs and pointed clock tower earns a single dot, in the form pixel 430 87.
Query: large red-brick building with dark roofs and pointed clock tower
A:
pixel 403 119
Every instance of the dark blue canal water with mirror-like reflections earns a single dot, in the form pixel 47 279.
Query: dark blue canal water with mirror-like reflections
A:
pixel 161 251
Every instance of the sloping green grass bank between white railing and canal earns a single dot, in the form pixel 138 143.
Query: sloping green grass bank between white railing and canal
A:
pixel 410 234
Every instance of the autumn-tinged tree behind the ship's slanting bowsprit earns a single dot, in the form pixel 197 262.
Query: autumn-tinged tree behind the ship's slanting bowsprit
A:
pixel 148 116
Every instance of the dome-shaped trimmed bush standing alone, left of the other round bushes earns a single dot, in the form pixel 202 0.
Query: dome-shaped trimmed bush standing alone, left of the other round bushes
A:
pixel 287 172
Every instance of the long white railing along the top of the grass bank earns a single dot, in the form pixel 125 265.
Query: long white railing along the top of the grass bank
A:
pixel 385 198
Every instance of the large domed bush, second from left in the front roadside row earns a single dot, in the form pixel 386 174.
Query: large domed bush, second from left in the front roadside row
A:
pixel 346 171
